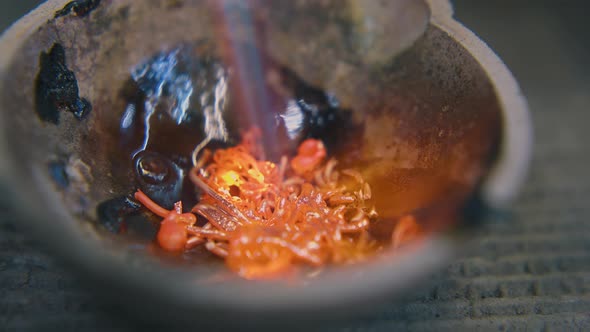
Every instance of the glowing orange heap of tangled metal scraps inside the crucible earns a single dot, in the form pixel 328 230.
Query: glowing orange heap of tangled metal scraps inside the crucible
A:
pixel 267 219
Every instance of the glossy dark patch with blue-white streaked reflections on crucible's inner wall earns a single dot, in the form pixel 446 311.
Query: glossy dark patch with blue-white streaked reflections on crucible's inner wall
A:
pixel 179 94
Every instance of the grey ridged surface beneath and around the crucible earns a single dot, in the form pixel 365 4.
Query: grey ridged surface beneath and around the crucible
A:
pixel 531 272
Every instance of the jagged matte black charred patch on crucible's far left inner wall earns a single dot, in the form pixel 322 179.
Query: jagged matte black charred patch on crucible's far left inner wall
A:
pixel 56 88
